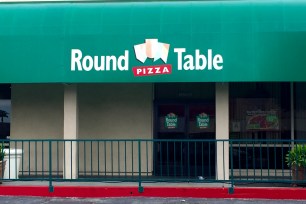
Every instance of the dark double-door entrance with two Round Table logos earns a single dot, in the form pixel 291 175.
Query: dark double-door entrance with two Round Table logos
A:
pixel 185 139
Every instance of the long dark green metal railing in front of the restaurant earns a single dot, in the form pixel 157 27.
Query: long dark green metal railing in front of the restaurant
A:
pixel 141 160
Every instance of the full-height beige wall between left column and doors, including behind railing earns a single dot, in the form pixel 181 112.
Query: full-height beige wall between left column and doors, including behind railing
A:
pixel 115 111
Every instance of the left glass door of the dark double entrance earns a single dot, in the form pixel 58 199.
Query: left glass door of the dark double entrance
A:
pixel 171 128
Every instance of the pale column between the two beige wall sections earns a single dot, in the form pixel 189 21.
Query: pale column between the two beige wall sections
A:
pixel 70 130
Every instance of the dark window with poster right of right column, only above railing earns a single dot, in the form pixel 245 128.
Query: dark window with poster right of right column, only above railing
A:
pixel 260 111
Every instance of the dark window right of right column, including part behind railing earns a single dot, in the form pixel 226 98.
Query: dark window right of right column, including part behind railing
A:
pixel 259 111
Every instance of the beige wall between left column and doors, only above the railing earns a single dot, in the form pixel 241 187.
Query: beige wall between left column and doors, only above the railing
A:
pixel 115 111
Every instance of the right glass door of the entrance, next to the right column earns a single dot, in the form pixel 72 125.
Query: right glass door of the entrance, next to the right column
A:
pixel 201 135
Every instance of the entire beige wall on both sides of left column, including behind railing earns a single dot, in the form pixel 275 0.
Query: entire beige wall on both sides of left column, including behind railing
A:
pixel 106 111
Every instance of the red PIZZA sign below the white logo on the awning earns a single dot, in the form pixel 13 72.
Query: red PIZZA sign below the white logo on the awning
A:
pixel 152 70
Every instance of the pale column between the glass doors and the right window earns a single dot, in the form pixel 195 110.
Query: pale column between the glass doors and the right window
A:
pixel 222 131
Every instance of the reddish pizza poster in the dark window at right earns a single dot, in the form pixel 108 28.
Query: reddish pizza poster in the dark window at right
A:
pixel 262 120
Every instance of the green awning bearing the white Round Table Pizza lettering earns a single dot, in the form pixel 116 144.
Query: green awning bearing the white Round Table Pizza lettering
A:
pixel 194 41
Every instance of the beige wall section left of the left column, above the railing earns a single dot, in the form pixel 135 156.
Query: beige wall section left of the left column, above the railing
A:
pixel 37 111
